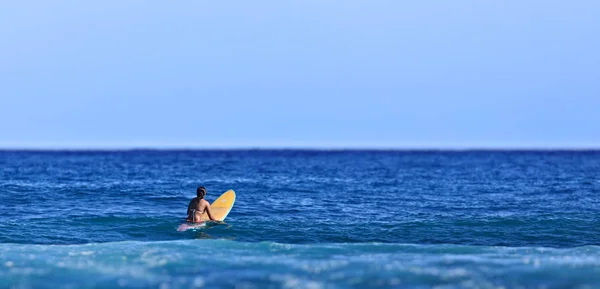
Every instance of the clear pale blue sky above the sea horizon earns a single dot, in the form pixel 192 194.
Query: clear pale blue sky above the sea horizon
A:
pixel 393 74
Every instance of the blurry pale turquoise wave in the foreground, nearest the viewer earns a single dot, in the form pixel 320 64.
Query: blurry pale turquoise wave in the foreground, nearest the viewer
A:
pixel 225 263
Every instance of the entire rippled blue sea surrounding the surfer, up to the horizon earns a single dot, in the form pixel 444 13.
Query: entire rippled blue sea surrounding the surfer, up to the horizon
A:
pixel 302 219
